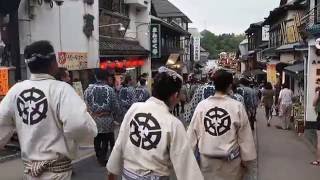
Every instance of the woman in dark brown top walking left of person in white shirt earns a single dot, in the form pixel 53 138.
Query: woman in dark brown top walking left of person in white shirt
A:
pixel 267 100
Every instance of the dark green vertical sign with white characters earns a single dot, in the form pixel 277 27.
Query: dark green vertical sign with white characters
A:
pixel 155 40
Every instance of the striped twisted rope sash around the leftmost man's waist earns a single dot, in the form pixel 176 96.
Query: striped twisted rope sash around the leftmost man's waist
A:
pixel 37 168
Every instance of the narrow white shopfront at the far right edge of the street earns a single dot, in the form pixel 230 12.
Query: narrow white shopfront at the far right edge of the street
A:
pixel 310 30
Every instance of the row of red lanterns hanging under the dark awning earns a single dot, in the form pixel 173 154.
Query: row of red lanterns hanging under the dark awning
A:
pixel 107 64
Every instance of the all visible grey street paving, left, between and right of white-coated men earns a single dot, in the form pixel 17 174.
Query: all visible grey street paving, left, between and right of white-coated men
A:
pixel 282 156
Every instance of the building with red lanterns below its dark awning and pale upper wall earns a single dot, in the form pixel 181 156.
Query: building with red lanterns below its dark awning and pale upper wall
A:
pixel 124 36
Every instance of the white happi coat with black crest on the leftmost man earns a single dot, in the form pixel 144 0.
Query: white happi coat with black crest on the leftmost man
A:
pixel 49 117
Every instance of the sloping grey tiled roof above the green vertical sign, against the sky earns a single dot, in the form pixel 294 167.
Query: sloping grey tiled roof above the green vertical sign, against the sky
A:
pixel 165 8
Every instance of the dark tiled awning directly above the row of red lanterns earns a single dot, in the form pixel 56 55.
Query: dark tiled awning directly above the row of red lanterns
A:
pixel 116 47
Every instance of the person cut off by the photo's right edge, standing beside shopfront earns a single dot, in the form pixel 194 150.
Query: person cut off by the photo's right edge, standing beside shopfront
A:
pixel 316 104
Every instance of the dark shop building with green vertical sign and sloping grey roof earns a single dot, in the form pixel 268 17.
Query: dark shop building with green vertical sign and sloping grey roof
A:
pixel 170 39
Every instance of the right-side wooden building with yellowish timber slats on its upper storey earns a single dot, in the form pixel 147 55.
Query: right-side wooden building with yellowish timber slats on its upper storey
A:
pixel 285 44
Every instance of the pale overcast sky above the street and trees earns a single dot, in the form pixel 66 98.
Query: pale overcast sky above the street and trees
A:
pixel 225 16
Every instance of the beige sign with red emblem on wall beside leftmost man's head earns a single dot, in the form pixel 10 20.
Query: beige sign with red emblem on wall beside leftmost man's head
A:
pixel 73 60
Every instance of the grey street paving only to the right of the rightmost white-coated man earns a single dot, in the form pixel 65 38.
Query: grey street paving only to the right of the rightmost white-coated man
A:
pixel 283 155
